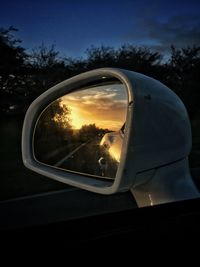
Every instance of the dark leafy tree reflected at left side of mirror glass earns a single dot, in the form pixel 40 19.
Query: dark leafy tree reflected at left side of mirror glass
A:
pixel 53 132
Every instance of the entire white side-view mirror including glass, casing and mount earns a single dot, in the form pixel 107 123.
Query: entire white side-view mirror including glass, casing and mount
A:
pixel 112 130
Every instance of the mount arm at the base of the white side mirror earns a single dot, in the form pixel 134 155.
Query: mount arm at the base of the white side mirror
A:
pixel 165 184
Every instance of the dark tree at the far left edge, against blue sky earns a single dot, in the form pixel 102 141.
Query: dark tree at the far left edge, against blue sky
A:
pixel 12 66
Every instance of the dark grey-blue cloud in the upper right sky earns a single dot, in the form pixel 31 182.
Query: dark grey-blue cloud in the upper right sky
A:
pixel 161 33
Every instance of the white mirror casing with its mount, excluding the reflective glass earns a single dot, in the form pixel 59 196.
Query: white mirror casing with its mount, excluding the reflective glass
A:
pixel 156 145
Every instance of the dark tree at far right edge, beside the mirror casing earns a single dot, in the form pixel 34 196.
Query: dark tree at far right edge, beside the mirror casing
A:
pixel 183 76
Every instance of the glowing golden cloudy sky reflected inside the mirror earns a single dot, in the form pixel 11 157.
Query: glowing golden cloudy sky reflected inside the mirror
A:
pixel 105 106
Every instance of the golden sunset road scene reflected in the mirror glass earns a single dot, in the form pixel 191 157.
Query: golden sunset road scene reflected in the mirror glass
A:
pixel 83 130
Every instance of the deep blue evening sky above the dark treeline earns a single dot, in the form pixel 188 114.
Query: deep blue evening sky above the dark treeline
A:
pixel 74 25
